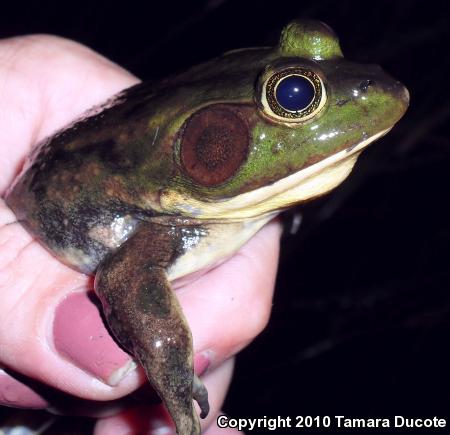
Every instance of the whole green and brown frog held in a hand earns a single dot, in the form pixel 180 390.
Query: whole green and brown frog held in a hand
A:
pixel 171 177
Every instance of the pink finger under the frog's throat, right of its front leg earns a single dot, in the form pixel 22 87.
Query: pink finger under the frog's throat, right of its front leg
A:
pixel 229 305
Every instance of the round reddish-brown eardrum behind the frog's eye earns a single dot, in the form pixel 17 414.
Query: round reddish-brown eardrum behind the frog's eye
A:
pixel 214 145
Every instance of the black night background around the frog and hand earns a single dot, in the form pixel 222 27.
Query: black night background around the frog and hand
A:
pixel 361 316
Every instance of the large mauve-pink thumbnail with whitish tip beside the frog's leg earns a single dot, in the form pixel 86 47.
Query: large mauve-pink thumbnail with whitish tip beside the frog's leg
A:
pixel 80 336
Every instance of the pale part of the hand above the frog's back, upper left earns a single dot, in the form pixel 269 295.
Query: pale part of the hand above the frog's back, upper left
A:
pixel 45 82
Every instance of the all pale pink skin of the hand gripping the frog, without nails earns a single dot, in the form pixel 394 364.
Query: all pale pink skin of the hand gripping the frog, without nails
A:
pixel 45 82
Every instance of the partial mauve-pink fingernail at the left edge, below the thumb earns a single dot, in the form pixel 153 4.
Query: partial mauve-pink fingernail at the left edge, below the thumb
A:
pixel 18 395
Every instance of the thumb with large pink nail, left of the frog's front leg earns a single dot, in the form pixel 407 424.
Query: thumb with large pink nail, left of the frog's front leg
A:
pixel 33 286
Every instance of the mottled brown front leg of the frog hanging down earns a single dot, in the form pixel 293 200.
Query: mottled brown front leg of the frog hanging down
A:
pixel 146 318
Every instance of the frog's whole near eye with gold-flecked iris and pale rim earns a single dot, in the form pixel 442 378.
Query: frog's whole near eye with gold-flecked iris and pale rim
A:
pixel 293 95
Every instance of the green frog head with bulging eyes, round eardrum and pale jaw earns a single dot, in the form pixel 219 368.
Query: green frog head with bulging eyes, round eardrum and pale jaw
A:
pixel 258 130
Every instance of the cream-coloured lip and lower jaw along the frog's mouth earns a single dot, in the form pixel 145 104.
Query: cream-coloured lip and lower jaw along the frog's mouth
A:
pixel 308 183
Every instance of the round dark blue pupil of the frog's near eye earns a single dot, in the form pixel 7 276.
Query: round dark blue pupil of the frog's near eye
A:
pixel 294 93
